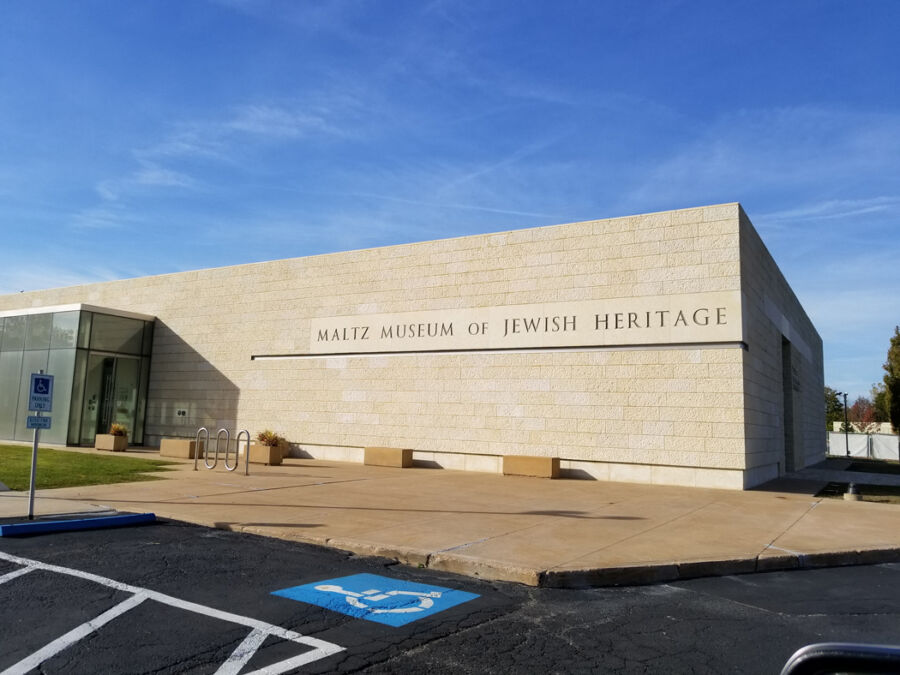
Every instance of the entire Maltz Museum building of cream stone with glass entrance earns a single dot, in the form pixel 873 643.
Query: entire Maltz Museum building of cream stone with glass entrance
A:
pixel 660 348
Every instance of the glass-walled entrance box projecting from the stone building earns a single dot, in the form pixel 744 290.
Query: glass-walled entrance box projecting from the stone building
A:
pixel 100 361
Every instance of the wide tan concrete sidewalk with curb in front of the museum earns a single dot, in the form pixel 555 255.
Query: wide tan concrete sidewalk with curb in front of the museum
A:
pixel 533 531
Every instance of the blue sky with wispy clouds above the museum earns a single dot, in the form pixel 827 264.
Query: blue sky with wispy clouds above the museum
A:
pixel 148 137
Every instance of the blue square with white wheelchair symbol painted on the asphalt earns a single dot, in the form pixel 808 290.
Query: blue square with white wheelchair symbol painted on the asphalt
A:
pixel 393 602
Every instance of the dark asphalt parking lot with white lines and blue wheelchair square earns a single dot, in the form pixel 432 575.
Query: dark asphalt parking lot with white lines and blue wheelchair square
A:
pixel 178 598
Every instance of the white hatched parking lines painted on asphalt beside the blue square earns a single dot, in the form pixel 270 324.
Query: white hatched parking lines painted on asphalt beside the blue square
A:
pixel 260 630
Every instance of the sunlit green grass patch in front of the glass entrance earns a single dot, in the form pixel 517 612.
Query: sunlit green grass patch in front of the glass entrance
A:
pixel 59 468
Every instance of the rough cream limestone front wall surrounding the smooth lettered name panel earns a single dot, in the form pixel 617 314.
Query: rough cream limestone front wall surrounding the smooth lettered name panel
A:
pixel 650 413
